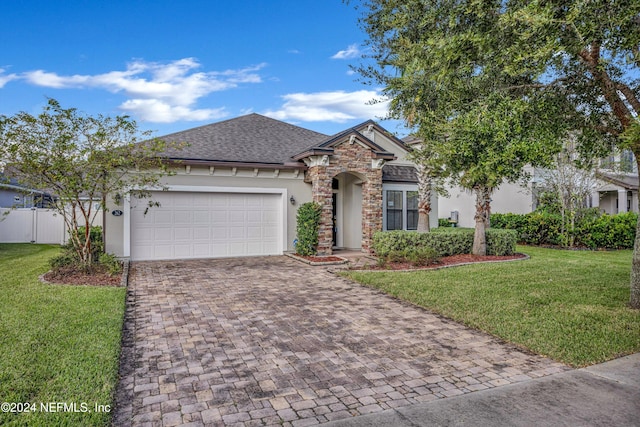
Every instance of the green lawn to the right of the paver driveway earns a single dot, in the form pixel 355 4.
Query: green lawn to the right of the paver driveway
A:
pixel 568 305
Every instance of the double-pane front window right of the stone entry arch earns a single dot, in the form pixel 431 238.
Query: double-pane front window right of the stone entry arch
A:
pixel 401 208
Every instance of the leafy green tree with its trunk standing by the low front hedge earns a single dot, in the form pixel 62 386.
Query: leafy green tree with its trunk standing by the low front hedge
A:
pixel 437 62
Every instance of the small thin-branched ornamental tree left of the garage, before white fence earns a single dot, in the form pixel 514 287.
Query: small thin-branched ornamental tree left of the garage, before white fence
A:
pixel 81 159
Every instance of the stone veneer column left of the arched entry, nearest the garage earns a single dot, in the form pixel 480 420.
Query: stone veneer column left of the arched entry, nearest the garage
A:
pixel 322 193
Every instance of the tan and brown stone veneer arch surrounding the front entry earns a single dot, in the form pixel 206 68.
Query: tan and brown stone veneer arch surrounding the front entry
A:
pixel 352 158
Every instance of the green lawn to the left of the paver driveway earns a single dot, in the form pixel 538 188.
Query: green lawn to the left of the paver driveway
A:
pixel 59 345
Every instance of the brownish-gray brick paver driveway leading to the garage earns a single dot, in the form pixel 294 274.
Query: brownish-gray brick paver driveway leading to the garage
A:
pixel 271 341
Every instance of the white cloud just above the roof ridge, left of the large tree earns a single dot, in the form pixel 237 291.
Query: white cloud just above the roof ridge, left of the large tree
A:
pixel 336 106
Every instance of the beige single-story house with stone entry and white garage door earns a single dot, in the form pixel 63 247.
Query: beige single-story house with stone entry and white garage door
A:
pixel 238 184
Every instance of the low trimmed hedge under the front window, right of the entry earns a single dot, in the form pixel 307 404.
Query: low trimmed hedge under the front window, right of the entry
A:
pixel 444 242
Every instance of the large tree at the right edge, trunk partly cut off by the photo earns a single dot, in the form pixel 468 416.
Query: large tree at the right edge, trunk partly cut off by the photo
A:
pixel 588 51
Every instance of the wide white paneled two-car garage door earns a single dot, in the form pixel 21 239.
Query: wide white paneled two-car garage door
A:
pixel 206 225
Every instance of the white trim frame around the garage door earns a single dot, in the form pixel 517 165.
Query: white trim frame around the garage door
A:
pixel 284 199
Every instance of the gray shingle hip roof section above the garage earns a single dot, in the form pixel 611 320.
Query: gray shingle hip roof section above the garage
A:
pixel 249 139
